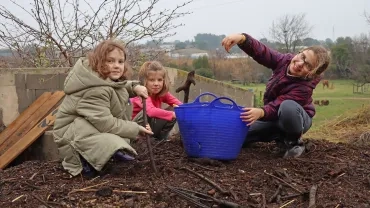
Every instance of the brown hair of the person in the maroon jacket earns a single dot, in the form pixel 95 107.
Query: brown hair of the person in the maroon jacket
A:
pixel 322 60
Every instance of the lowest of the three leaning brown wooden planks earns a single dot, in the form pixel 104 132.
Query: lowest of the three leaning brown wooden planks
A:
pixel 28 139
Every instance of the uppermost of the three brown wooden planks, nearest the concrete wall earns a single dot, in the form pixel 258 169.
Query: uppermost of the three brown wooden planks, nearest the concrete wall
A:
pixel 23 117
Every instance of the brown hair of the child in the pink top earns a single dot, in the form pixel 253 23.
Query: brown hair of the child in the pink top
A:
pixel 154 66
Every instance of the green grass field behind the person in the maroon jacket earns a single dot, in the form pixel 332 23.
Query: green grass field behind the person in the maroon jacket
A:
pixel 343 103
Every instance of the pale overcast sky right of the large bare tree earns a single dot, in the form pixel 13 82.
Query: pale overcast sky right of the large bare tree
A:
pixel 329 18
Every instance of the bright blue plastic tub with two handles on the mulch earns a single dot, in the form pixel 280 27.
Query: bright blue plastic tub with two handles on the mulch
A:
pixel 211 129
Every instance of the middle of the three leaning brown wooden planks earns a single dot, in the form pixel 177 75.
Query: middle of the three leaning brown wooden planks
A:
pixel 32 121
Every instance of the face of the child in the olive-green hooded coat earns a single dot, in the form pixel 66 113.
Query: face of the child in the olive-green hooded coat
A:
pixel 116 64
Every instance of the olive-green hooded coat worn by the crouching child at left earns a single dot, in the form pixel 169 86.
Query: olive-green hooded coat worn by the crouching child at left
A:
pixel 93 119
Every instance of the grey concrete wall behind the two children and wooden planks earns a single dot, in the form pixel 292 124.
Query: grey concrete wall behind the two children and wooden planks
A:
pixel 19 88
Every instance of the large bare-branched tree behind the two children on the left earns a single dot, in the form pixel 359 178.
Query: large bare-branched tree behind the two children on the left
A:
pixel 58 30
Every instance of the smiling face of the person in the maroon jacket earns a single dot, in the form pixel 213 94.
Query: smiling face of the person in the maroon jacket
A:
pixel 303 63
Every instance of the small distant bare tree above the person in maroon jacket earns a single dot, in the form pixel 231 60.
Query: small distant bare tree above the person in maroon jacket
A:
pixel 290 30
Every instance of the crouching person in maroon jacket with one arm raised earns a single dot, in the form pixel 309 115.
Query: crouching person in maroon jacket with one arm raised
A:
pixel 288 109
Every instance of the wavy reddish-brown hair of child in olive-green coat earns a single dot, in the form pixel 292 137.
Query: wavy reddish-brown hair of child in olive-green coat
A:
pixel 98 57
